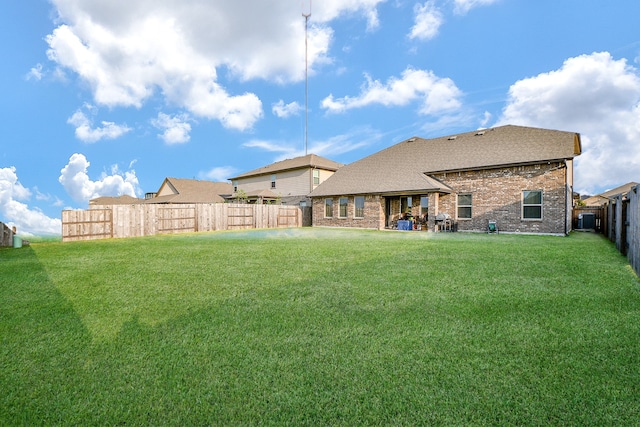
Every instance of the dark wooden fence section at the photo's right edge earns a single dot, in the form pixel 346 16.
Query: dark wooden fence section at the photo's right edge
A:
pixel 623 225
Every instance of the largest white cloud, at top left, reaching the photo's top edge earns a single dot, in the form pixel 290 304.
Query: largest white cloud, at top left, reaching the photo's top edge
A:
pixel 128 51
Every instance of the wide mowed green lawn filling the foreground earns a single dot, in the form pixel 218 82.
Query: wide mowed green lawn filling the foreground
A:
pixel 320 327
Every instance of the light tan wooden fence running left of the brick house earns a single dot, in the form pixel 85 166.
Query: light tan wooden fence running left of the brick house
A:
pixel 118 221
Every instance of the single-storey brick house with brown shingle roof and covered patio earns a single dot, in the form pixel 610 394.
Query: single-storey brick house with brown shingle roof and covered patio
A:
pixel 519 177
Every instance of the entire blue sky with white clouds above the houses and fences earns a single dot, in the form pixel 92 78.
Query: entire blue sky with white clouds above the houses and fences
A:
pixel 105 98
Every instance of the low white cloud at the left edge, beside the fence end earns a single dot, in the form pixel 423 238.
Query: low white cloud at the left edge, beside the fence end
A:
pixel 17 213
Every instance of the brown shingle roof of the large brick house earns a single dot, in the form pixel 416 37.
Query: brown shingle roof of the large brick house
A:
pixel 404 167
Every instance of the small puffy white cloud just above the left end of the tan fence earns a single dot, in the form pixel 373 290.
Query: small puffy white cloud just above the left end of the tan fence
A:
pixel 75 180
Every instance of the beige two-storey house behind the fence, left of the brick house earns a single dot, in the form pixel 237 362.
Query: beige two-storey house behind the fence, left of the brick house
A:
pixel 288 181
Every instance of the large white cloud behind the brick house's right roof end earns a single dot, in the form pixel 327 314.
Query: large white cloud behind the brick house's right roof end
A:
pixel 597 96
